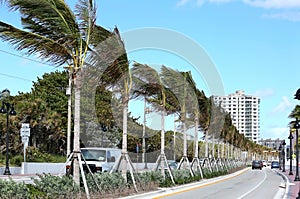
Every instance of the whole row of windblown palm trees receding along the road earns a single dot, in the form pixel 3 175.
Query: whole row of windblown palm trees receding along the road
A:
pixel 96 56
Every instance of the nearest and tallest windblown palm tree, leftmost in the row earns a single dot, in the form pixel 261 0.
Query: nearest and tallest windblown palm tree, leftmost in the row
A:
pixel 53 32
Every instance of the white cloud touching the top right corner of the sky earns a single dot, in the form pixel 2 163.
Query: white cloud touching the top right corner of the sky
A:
pixel 277 4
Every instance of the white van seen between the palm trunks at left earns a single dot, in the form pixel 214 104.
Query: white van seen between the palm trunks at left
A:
pixel 98 159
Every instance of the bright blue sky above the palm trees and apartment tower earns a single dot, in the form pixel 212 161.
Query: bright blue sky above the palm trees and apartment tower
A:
pixel 253 44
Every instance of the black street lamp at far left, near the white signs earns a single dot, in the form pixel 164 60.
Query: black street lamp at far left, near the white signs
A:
pixel 8 111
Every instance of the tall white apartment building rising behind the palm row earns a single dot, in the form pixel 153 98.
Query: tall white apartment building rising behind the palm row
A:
pixel 244 111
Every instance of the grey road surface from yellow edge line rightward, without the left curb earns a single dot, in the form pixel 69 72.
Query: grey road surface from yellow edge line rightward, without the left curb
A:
pixel 250 184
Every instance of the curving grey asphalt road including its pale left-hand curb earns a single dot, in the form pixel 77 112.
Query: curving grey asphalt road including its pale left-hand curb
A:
pixel 246 184
